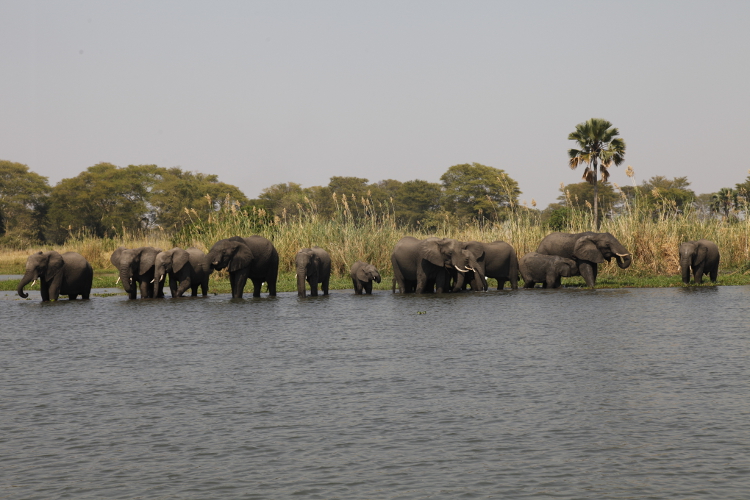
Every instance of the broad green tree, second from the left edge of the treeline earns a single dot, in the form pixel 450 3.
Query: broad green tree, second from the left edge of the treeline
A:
pixel 104 199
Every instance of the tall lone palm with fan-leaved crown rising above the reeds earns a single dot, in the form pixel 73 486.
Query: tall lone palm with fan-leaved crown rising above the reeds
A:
pixel 599 148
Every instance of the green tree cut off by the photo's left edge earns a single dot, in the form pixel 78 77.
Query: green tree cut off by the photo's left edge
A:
pixel 23 204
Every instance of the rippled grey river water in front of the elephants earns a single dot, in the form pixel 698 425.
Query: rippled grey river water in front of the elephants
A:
pixel 570 393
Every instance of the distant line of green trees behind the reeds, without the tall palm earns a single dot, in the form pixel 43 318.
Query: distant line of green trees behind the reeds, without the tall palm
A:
pixel 108 201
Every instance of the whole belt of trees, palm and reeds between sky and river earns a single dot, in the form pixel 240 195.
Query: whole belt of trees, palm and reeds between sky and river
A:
pixel 106 206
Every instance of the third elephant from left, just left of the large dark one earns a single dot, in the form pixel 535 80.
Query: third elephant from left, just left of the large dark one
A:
pixel 186 269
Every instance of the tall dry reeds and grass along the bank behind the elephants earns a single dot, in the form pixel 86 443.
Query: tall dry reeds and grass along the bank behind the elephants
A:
pixel 366 233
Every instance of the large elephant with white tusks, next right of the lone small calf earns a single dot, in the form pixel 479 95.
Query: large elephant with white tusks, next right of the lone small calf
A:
pixel 424 266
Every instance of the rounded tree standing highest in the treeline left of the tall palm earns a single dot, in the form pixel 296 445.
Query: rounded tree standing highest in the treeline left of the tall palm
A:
pixel 475 190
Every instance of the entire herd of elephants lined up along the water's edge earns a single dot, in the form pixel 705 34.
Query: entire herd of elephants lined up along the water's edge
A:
pixel 431 265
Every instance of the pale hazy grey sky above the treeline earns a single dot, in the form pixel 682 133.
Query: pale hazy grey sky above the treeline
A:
pixel 264 92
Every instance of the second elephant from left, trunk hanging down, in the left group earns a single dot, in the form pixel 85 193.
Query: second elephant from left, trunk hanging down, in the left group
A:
pixel 136 268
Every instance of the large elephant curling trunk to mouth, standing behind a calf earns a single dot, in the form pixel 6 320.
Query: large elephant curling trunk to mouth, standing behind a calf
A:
pixel 588 250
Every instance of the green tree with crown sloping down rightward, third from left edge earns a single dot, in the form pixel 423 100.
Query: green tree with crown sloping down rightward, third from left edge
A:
pixel 175 192
